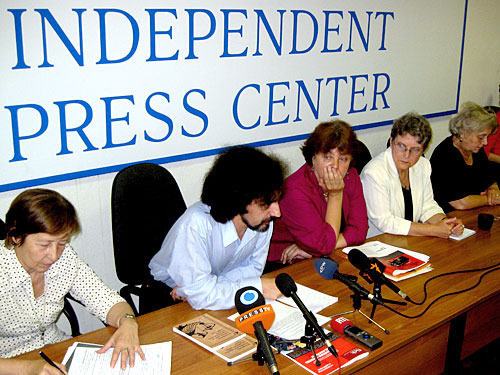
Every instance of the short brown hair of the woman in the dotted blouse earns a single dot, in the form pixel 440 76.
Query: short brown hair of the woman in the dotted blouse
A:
pixel 39 211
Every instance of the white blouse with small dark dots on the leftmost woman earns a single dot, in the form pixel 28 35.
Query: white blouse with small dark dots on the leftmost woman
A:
pixel 21 315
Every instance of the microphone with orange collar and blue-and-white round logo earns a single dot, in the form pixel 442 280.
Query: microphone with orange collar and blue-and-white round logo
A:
pixel 256 317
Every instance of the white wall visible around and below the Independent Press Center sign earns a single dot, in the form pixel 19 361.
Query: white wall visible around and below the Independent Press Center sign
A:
pixel 91 196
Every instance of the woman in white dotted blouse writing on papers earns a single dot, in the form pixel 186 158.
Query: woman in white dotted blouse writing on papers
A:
pixel 38 268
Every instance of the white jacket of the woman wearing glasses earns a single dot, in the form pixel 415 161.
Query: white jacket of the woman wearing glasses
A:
pixel 384 195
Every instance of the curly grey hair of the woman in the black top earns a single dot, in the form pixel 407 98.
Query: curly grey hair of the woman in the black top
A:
pixel 472 118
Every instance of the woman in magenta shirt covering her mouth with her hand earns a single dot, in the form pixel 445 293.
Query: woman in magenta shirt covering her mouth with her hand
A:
pixel 323 207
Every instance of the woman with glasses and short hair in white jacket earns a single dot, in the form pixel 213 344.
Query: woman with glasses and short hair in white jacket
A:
pixel 397 185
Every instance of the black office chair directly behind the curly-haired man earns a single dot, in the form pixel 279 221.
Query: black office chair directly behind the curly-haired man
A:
pixel 145 203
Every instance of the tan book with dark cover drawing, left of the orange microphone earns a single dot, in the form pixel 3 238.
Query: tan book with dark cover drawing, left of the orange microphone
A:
pixel 217 337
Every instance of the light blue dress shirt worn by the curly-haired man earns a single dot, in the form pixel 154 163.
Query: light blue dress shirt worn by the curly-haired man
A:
pixel 208 261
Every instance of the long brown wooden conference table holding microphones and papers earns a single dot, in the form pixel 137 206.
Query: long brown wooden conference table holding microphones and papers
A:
pixel 453 328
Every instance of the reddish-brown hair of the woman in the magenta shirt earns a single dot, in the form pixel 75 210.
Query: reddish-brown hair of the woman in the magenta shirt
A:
pixel 327 136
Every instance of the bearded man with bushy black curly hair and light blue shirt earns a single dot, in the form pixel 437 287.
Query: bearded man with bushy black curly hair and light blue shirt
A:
pixel 220 244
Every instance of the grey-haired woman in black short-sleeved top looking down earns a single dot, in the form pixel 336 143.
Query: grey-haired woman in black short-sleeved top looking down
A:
pixel 461 174
